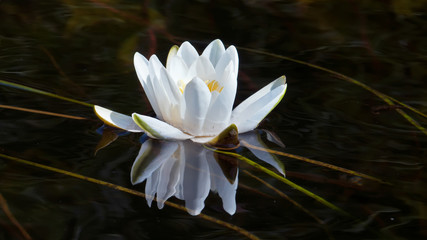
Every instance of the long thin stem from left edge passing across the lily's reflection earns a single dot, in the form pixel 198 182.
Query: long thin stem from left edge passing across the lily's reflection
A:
pixel 129 191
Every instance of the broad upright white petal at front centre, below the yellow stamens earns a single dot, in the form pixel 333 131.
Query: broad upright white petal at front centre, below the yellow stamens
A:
pixel 197 98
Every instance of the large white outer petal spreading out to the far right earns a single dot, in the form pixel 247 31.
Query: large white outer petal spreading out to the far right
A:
pixel 254 109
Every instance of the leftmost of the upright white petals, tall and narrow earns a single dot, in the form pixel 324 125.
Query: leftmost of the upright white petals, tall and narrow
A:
pixel 142 71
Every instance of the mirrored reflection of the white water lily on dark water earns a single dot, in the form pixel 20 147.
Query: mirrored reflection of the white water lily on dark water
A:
pixel 188 171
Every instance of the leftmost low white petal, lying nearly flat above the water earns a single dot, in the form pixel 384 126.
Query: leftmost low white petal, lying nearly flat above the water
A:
pixel 116 119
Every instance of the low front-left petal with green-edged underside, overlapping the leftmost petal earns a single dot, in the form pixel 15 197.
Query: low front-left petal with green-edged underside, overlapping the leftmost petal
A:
pixel 159 129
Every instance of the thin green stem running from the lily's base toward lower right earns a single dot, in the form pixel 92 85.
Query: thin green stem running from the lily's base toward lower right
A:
pixel 282 179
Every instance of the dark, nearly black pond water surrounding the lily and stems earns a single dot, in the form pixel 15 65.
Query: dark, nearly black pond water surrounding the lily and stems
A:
pixel 84 49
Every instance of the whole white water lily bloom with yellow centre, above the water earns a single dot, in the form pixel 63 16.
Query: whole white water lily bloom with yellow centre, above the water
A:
pixel 193 95
